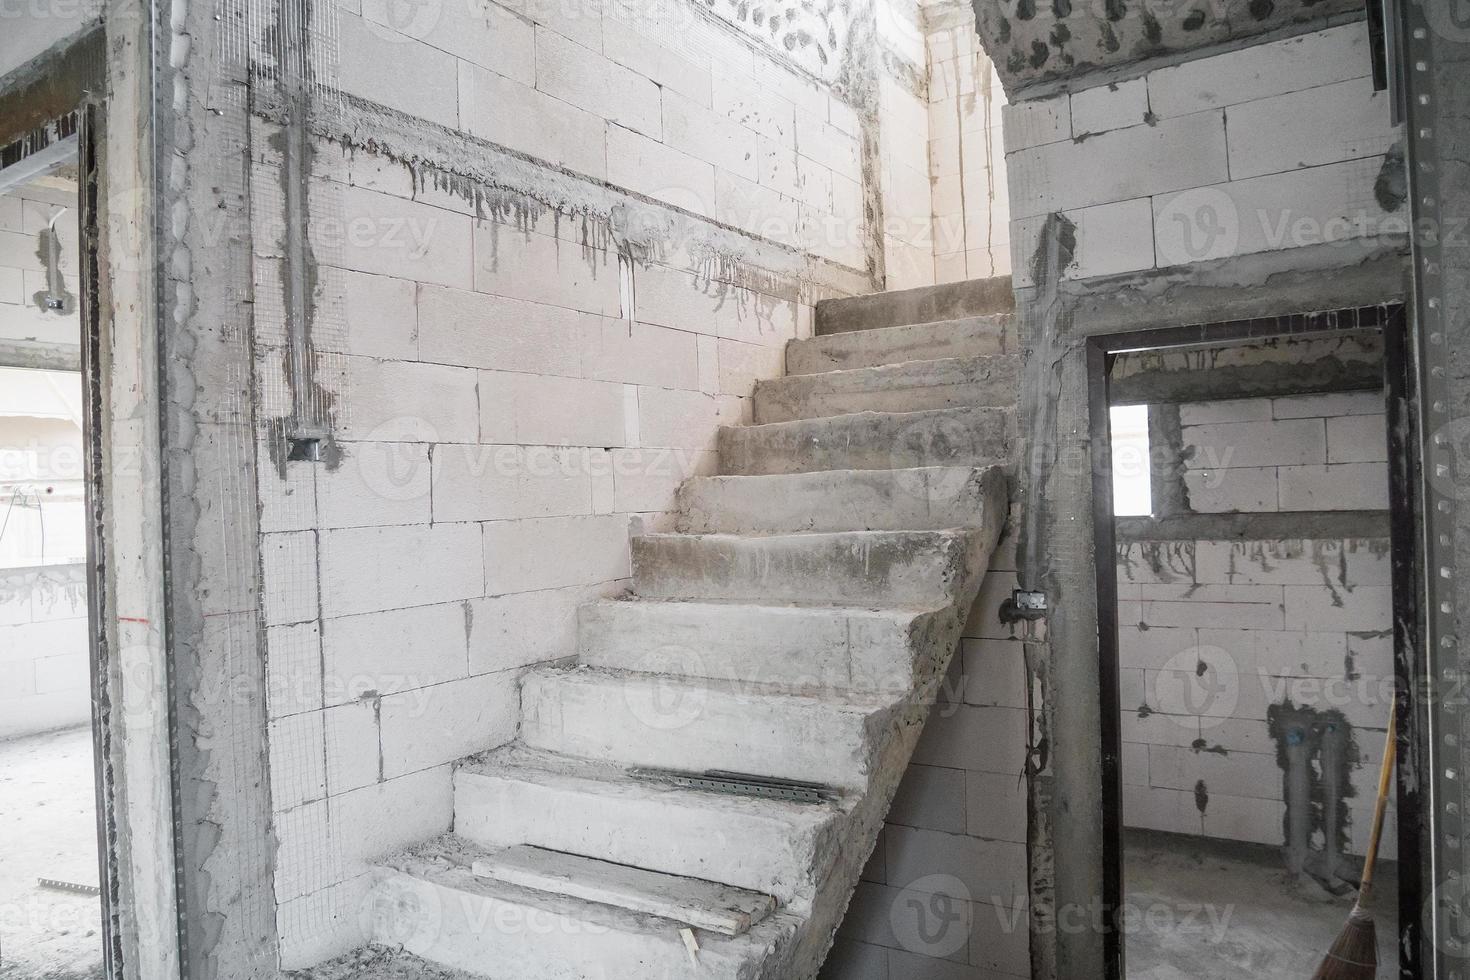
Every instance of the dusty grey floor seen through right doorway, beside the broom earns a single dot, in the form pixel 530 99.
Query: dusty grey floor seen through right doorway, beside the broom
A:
pixel 1197 915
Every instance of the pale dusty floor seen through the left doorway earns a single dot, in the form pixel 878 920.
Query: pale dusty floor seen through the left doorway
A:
pixel 48 829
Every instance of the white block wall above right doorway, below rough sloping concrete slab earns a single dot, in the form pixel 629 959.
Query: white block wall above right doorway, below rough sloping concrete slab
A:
pixel 1275 146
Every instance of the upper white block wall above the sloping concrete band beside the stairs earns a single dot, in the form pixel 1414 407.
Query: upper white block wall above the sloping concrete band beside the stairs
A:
pixel 667 102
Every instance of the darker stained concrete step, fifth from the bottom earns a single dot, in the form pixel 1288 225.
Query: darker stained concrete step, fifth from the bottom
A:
pixel 855 568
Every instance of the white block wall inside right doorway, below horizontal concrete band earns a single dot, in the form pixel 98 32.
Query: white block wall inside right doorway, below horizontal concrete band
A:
pixel 1183 727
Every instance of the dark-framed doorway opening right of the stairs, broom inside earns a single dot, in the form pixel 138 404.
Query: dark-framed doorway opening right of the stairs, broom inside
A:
pixel 1256 633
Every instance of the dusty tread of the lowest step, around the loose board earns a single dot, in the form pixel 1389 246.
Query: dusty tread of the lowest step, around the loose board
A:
pixel 449 862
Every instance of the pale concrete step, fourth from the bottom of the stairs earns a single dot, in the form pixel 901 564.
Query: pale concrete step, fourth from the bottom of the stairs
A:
pixel 806 647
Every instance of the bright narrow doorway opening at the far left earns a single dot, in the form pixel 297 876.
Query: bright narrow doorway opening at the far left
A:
pixel 51 868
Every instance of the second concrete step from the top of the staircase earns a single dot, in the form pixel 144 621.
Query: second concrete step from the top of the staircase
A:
pixel 969 337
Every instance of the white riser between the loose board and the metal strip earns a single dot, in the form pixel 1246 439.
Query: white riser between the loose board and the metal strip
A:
pixel 717 844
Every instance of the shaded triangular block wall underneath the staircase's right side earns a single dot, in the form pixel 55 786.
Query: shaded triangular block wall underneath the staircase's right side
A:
pixel 946 891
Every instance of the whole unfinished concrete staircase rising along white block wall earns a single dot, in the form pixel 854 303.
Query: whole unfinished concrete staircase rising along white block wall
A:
pixel 795 630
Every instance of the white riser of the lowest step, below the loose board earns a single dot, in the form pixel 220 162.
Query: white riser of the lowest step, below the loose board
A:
pixel 495 937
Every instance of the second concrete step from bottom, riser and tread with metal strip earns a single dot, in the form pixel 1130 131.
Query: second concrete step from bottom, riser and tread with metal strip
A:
pixel 520 796
